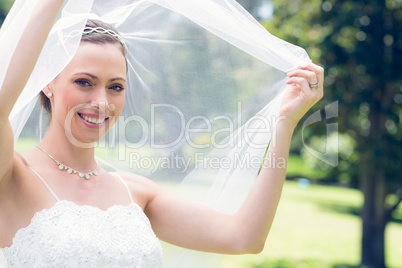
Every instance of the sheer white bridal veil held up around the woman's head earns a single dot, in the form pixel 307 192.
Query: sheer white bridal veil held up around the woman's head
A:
pixel 204 88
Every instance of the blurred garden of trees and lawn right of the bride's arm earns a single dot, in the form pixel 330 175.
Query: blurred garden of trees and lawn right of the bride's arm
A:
pixel 347 213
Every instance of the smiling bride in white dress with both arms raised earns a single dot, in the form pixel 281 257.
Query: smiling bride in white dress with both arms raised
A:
pixel 58 208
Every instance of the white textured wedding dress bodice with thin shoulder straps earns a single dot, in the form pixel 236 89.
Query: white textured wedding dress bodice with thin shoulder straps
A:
pixel 71 235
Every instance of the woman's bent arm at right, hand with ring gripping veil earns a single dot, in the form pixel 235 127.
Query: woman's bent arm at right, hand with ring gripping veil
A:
pixel 197 227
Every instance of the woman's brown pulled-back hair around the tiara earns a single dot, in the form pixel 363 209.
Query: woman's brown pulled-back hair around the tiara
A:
pixel 92 37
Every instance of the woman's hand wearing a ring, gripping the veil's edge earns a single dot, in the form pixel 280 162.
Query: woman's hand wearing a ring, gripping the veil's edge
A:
pixel 305 88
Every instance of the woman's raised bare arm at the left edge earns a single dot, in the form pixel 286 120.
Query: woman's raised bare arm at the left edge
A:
pixel 21 66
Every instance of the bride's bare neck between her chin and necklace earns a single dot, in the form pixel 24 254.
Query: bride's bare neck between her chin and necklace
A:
pixel 60 148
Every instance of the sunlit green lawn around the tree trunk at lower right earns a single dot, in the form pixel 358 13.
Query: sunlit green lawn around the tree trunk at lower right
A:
pixel 317 227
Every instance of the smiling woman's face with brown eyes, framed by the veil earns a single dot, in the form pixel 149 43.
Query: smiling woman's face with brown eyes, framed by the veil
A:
pixel 88 95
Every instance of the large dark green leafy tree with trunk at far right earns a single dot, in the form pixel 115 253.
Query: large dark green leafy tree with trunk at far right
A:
pixel 360 45
